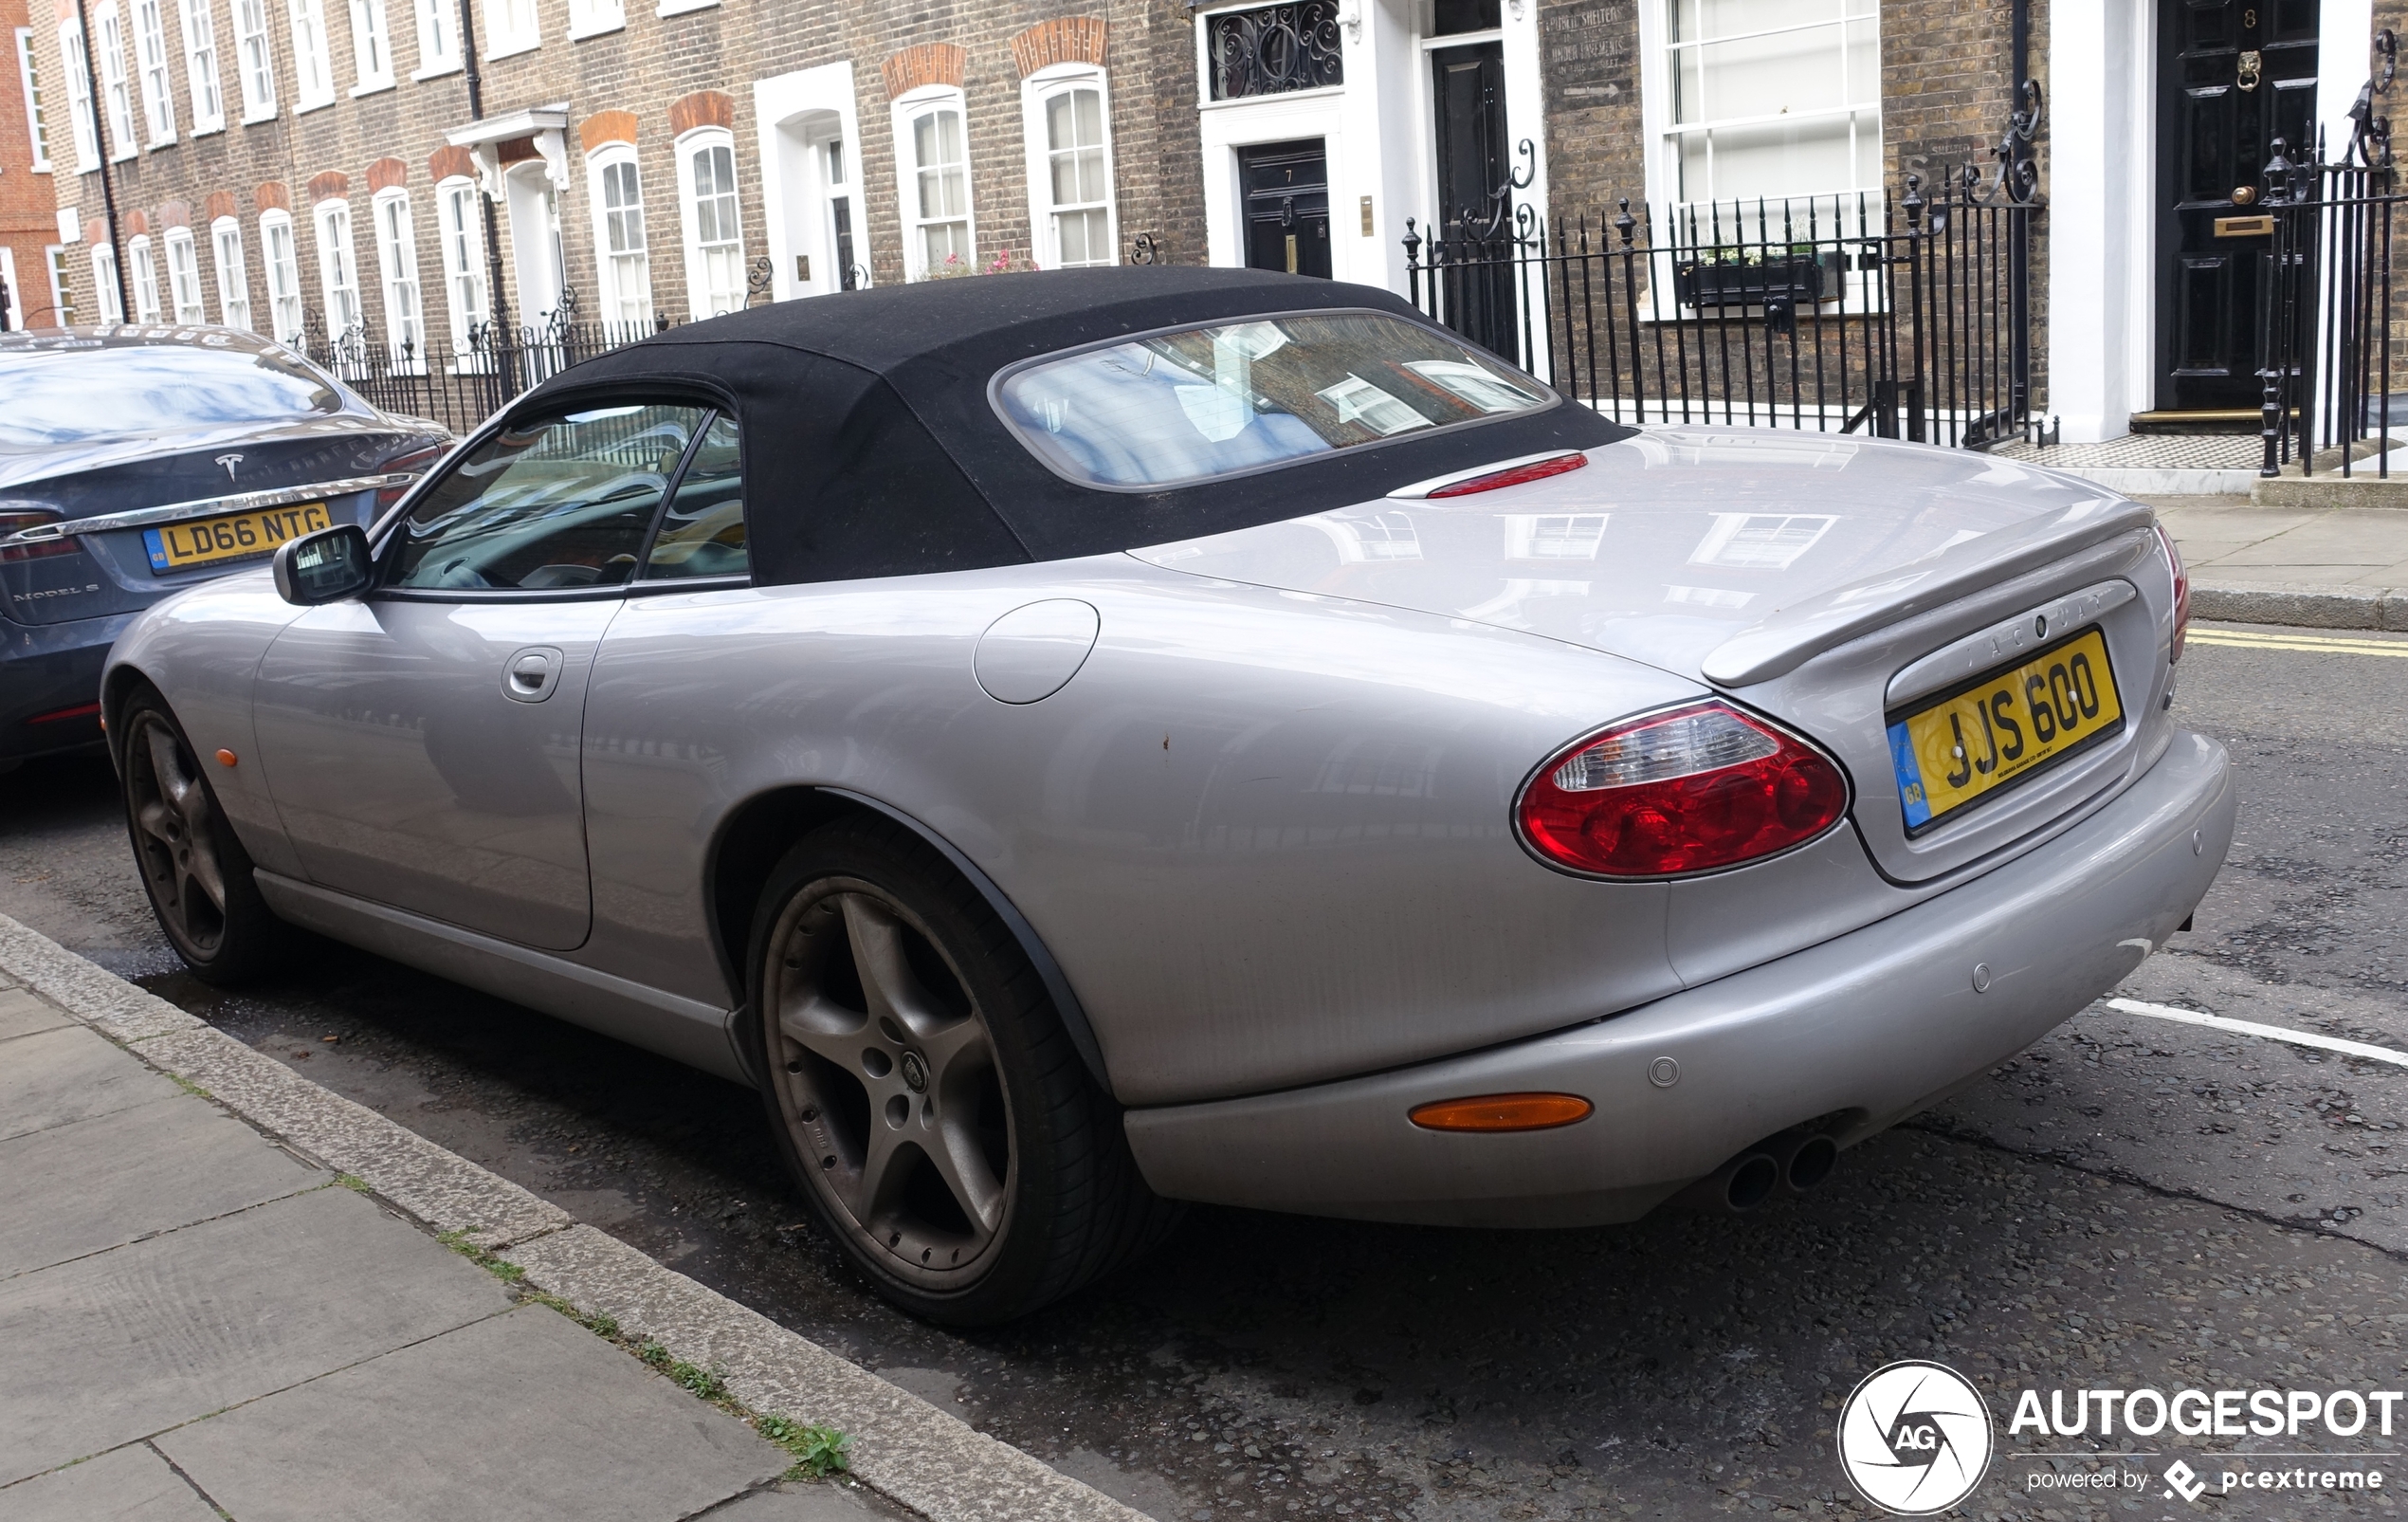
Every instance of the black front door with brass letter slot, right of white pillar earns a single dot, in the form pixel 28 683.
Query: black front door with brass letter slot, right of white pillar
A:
pixel 2233 78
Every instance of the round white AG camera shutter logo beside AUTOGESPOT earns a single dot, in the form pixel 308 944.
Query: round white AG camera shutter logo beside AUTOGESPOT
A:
pixel 1916 1439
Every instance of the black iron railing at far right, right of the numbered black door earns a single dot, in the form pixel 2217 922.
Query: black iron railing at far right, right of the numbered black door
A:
pixel 2327 355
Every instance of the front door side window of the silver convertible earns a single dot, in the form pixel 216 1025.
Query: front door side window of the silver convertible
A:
pixel 548 502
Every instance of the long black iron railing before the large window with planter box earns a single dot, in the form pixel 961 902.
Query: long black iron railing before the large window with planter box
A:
pixel 1906 319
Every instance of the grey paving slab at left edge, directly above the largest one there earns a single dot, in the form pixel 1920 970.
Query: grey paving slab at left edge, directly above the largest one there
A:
pixel 117 1179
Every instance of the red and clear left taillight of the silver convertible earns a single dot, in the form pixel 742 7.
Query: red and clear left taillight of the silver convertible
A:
pixel 1684 791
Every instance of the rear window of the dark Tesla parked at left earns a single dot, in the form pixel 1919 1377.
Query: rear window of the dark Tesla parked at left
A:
pixel 88 396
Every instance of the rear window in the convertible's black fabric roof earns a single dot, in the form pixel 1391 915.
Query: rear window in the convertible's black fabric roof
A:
pixel 1220 401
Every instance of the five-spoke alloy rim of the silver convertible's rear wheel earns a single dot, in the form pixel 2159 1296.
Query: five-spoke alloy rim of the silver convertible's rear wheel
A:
pixel 885 1075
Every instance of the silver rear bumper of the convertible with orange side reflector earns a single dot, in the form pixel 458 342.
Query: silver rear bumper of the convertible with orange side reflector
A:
pixel 1872 1027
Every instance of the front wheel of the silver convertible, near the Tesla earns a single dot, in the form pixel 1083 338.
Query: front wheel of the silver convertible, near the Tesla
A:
pixel 189 859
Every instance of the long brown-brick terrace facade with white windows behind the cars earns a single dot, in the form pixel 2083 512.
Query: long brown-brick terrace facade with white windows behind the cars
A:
pixel 661 160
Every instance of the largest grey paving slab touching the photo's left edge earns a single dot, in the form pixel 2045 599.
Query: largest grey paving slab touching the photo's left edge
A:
pixel 136 1340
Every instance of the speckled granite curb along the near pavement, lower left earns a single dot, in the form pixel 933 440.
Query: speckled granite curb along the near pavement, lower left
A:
pixel 902 1446
